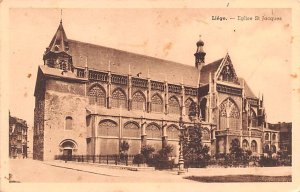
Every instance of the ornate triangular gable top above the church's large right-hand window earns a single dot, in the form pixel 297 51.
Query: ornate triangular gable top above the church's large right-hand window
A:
pixel 226 71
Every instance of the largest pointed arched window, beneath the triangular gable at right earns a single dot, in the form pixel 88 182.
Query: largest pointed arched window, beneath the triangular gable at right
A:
pixel 229 115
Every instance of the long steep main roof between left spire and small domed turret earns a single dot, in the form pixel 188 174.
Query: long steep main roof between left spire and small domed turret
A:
pixel 122 62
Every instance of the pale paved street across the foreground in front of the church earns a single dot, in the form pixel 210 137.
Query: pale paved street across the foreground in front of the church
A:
pixel 28 170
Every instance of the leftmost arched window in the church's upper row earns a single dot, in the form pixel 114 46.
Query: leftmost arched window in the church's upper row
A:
pixel 97 96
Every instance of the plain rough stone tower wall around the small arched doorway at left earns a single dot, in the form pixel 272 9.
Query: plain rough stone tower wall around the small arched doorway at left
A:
pixel 63 99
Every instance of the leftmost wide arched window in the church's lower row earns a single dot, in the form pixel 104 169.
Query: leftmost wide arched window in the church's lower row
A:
pixel 108 128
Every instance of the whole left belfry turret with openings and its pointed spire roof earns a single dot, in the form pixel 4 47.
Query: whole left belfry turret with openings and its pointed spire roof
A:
pixel 57 53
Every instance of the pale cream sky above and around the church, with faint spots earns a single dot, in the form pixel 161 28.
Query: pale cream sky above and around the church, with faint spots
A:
pixel 260 50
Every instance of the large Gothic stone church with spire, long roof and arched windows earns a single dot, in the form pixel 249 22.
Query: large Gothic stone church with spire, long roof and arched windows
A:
pixel 90 98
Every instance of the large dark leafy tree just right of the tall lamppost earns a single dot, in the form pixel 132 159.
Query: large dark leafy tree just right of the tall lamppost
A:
pixel 193 149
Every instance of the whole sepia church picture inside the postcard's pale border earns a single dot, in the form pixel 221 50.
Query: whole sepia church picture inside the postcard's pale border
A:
pixel 183 96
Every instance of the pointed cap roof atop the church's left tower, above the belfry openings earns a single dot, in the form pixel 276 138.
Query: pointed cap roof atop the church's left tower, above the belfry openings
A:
pixel 59 42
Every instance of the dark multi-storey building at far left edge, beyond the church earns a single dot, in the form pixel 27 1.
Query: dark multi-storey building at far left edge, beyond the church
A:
pixel 17 137
